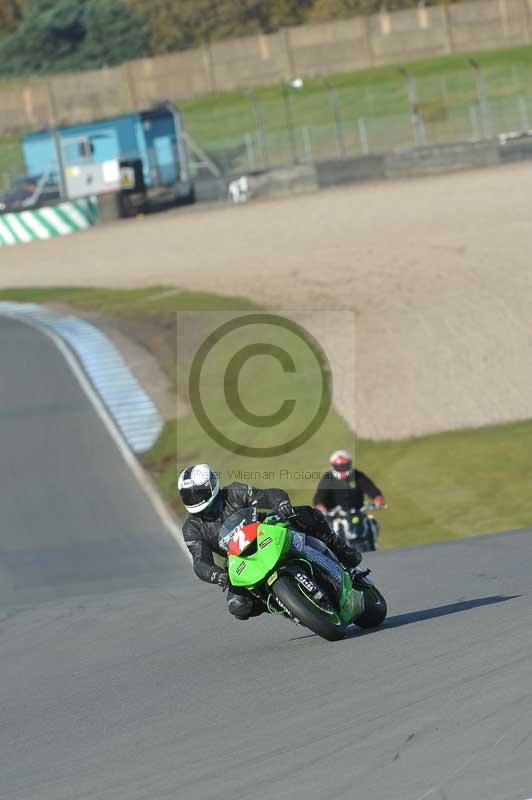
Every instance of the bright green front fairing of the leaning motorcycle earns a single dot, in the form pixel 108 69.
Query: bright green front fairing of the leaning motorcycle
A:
pixel 272 542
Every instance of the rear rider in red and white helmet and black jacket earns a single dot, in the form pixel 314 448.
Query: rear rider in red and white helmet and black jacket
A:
pixel 345 486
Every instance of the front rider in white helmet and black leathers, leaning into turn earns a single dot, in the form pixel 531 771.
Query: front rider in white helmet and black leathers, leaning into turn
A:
pixel 209 506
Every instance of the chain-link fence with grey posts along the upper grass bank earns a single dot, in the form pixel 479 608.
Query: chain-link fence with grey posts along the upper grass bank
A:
pixel 318 121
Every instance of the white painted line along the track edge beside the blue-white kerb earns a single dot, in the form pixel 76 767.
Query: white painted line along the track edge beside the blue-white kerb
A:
pixel 143 479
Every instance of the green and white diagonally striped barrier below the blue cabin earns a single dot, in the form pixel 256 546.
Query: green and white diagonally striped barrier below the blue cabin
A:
pixel 44 223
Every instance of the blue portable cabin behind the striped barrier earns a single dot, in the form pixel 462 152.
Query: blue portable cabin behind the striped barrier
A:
pixel 154 136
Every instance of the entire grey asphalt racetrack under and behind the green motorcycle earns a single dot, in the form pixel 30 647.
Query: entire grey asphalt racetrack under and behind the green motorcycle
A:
pixel 124 678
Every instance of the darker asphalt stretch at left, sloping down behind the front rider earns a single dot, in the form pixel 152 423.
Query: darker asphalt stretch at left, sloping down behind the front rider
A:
pixel 72 518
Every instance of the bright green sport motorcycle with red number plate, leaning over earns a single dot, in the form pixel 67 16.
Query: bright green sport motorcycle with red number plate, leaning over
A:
pixel 297 576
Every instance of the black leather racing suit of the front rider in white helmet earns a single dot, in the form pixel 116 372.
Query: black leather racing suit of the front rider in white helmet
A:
pixel 200 533
